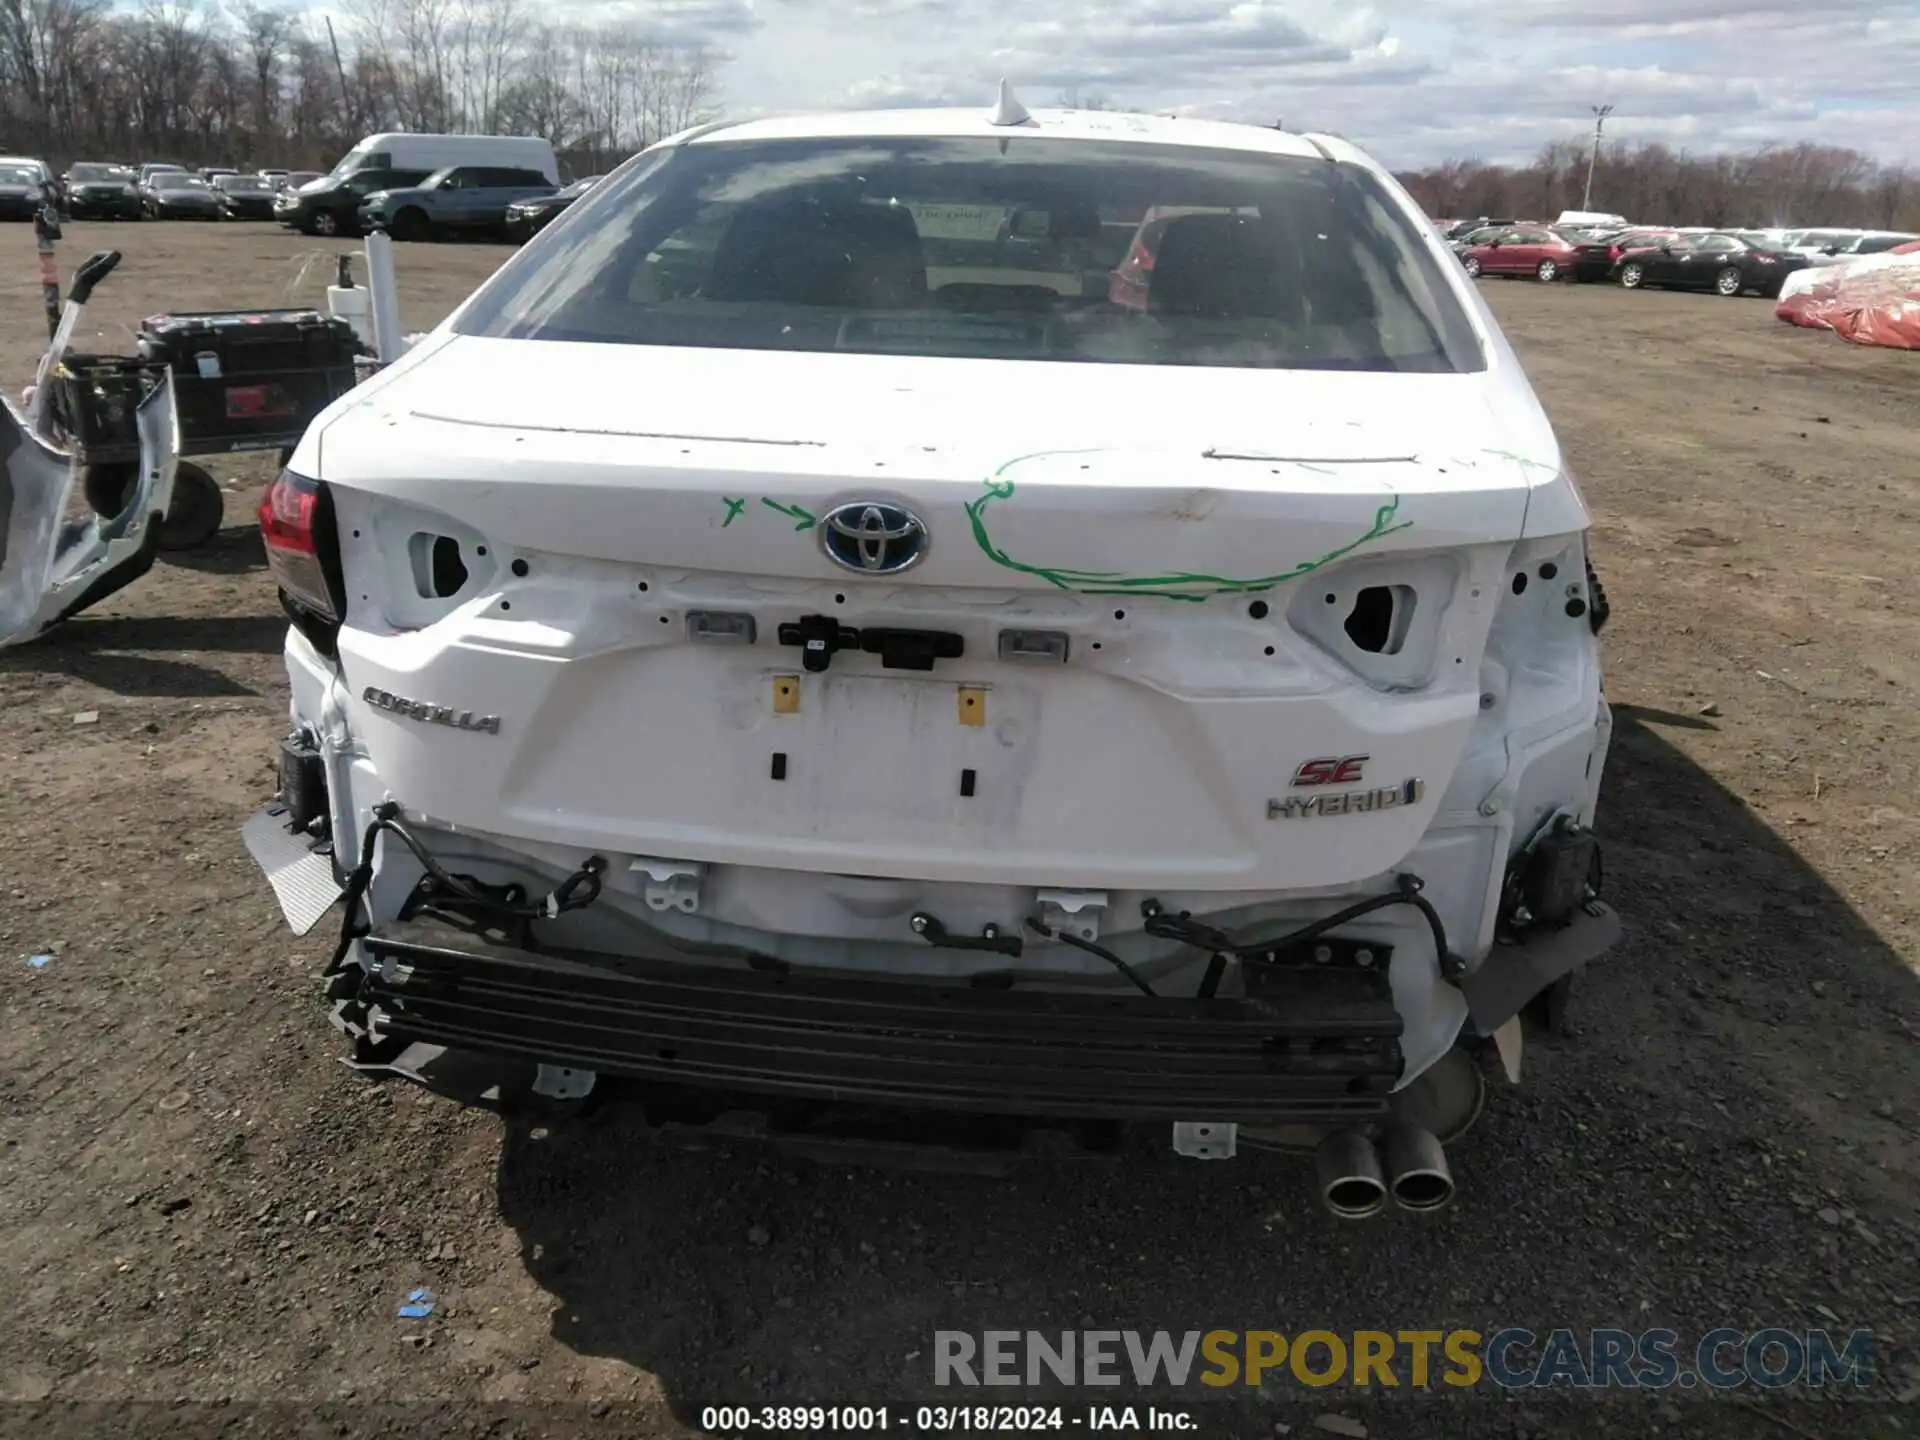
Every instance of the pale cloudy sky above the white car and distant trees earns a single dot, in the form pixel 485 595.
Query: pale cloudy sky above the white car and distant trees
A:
pixel 1412 80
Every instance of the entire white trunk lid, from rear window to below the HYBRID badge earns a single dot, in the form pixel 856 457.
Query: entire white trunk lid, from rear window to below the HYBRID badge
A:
pixel 1197 537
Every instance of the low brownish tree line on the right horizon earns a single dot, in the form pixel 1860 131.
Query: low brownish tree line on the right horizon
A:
pixel 1802 185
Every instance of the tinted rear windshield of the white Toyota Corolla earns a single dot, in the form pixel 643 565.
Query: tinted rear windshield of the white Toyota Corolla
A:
pixel 1020 249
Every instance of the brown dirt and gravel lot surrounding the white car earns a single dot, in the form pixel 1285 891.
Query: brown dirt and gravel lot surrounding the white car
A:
pixel 203 1211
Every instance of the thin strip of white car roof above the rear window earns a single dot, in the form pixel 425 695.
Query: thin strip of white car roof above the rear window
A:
pixel 1053 124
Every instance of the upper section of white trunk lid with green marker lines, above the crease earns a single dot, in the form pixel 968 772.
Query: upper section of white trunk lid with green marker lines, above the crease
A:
pixel 1024 475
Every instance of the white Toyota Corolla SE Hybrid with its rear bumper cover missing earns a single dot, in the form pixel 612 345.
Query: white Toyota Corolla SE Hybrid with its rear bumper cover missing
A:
pixel 794 642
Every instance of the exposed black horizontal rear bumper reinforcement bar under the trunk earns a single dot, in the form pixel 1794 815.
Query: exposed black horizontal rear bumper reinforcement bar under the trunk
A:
pixel 1320 1049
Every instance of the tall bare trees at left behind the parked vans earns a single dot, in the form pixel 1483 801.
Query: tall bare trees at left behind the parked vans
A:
pixel 256 85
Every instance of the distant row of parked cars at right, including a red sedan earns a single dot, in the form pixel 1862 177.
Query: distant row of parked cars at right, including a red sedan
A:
pixel 1687 258
